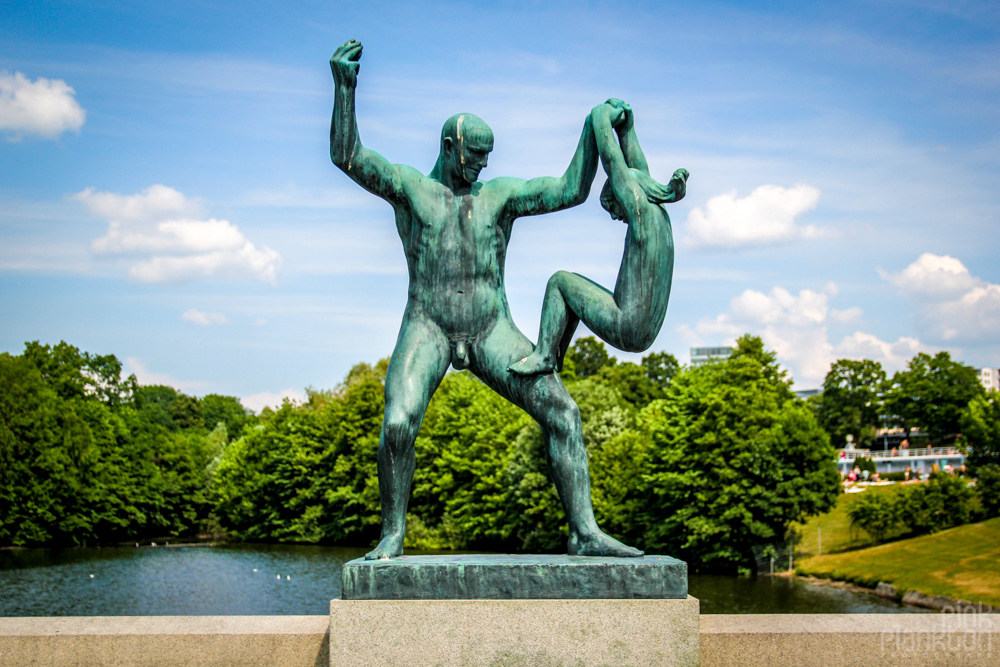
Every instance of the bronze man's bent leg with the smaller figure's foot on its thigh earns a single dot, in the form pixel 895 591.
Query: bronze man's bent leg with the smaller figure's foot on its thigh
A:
pixel 545 398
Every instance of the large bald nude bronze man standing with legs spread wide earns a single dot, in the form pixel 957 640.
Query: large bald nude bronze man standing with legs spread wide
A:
pixel 455 229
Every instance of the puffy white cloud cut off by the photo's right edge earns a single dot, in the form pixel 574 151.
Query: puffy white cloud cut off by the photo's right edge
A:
pixel 955 306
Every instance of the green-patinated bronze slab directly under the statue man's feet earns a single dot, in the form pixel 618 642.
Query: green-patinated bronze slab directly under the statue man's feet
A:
pixel 514 577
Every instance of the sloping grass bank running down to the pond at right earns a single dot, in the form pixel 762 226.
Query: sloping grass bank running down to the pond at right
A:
pixel 962 563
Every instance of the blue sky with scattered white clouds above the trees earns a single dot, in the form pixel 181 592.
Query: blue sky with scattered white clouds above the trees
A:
pixel 166 192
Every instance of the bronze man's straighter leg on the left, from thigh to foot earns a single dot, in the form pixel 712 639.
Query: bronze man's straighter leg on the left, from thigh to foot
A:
pixel 417 365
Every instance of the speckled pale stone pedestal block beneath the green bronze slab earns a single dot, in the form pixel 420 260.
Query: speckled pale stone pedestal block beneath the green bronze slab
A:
pixel 514 632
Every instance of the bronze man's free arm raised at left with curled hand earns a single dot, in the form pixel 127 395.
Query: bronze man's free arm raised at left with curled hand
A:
pixel 365 167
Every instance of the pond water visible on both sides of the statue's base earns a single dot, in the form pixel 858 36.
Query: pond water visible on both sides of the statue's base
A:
pixel 252 579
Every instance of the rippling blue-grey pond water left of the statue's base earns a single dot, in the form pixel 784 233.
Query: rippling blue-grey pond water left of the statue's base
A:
pixel 224 580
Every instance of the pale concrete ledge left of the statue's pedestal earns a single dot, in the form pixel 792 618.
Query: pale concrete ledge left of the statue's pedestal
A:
pixel 166 640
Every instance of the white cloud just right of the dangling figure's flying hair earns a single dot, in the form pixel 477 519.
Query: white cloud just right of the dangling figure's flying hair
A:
pixel 767 216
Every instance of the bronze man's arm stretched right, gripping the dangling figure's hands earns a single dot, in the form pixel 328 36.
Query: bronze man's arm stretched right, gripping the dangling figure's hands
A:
pixel 547 193
